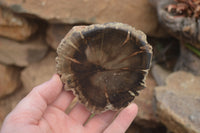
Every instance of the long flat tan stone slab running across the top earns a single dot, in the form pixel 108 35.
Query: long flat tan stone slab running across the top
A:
pixel 138 13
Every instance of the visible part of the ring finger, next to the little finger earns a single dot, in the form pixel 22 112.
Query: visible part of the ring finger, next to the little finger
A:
pixel 99 122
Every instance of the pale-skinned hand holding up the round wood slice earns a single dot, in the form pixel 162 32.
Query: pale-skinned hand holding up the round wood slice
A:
pixel 43 111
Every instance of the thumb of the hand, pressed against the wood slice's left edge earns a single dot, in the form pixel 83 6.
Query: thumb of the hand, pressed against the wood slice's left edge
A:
pixel 35 103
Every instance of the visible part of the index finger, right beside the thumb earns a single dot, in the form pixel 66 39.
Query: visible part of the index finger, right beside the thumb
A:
pixel 63 100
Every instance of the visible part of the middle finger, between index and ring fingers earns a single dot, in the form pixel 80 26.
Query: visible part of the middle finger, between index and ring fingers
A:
pixel 79 113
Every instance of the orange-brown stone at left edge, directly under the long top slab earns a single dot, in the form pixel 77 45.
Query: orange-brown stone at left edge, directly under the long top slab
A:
pixel 14 26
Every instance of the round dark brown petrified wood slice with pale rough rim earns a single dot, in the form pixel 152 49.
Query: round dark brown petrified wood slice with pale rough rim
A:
pixel 104 65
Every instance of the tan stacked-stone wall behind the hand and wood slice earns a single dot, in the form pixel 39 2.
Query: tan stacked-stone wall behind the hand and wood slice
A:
pixel 30 32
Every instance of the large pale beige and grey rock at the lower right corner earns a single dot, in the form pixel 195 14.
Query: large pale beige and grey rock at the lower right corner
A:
pixel 178 102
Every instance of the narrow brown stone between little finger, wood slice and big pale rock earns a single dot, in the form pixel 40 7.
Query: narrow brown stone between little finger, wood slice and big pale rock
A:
pixel 147 105
